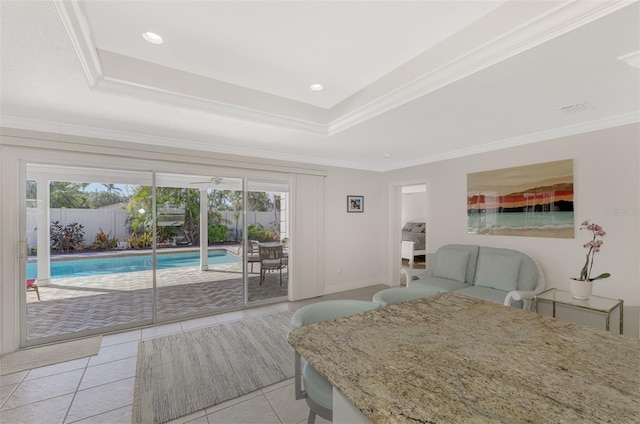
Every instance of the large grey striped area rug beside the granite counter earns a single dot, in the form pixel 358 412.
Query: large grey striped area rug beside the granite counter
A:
pixel 183 373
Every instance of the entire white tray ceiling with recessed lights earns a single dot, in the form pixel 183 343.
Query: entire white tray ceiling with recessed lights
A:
pixel 405 82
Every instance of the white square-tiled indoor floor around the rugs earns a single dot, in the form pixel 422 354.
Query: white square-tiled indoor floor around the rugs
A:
pixel 99 389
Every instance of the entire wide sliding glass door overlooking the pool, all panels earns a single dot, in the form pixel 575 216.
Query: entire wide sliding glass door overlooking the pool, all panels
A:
pixel 111 249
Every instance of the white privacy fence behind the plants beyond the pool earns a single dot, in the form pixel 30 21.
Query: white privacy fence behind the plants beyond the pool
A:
pixel 114 221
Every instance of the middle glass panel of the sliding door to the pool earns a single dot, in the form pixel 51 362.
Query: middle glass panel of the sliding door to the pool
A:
pixel 199 258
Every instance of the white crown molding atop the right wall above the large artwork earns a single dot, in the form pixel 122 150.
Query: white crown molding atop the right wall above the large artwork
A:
pixel 585 127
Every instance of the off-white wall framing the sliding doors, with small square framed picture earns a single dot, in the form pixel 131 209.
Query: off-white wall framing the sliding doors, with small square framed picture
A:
pixel 355 243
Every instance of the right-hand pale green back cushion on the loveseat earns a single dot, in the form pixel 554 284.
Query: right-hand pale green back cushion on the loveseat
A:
pixel 498 270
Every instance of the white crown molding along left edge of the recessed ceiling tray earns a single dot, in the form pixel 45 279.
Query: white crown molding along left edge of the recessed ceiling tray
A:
pixel 74 22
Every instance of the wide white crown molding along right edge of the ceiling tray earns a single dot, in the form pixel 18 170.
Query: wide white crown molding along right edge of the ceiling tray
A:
pixel 566 17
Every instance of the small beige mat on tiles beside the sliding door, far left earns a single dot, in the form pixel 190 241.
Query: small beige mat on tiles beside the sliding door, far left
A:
pixel 48 355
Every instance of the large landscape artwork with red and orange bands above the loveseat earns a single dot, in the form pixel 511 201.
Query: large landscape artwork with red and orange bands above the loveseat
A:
pixel 533 201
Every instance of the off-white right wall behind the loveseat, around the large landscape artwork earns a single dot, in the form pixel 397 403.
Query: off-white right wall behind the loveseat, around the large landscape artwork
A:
pixel 606 189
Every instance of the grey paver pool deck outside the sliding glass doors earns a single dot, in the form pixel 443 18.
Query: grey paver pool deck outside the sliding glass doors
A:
pixel 71 305
